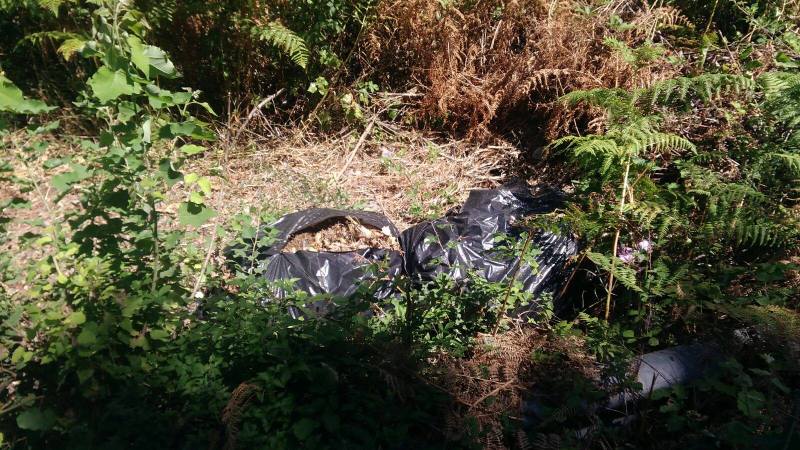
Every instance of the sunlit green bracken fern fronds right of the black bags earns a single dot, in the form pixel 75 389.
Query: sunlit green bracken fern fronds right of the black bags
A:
pixel 742 213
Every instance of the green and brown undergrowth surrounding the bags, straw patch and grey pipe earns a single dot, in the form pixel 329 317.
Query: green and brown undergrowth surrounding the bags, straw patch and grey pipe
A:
pixel 673 127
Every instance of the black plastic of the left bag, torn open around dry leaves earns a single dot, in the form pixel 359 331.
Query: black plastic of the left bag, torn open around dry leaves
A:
pixel 334 273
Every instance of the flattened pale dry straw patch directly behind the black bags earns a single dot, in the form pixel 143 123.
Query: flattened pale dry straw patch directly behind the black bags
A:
pixel 404 174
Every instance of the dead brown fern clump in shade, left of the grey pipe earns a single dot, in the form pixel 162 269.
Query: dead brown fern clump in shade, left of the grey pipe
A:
pixel 503 370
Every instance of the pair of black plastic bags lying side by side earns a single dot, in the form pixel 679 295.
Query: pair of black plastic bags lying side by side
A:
pixel 460 243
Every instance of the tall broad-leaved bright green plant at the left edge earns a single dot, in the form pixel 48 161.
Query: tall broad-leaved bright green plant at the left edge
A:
pixel 110 287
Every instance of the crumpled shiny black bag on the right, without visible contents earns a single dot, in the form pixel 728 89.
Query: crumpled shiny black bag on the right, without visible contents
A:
pixel 467 241
